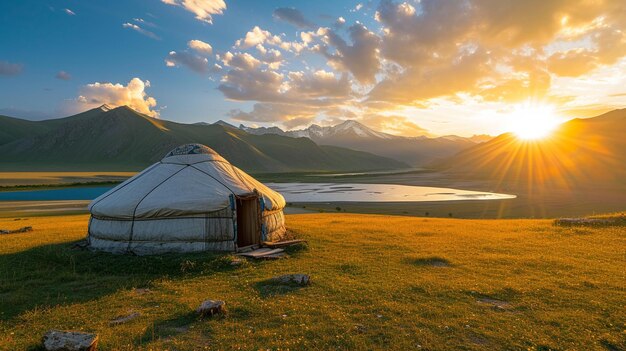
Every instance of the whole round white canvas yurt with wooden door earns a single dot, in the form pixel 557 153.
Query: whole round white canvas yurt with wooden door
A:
pixel 192 200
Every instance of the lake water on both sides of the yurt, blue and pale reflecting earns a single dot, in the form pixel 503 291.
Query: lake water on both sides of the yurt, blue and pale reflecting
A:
pixel 295 192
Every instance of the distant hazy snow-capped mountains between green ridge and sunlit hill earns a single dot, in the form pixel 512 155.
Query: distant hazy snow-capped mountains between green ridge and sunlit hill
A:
pixel 416 151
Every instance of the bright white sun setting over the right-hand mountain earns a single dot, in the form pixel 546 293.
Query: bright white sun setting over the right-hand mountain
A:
pixel 531 121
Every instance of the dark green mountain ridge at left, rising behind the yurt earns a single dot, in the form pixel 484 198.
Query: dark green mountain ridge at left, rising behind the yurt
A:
pixel 123 139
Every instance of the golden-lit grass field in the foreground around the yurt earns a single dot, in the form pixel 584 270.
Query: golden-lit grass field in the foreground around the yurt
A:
pixel 378 282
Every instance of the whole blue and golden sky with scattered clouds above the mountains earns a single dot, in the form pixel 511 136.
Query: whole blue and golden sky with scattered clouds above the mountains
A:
pixel 429 67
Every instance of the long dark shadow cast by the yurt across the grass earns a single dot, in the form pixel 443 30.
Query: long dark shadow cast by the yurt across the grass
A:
pixel 60 274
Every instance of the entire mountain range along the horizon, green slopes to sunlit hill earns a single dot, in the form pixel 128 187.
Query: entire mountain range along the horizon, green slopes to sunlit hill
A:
pixel 582 151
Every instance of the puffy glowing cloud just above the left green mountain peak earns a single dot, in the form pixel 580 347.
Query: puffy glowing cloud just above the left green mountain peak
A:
pixel 132 95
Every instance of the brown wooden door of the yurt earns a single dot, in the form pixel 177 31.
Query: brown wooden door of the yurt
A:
pixel 248 216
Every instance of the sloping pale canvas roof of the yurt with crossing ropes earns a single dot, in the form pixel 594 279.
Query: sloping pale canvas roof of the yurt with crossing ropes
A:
pixel 190 180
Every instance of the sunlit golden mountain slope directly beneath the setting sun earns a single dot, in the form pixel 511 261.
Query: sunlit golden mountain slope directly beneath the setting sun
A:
pixel 589 152
